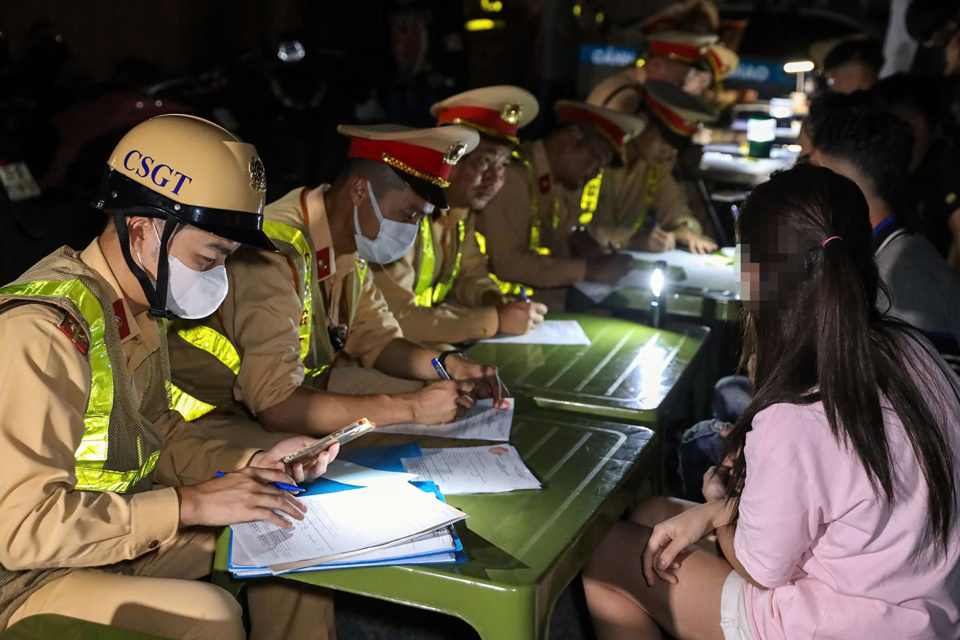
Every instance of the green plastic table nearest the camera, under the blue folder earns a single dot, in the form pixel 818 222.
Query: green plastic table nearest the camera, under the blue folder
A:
pixel 524 547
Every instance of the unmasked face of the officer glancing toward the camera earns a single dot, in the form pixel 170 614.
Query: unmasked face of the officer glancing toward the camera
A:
pixel 478 177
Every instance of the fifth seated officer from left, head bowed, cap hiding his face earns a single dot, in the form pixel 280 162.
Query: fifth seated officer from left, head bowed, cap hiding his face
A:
pixel 644 208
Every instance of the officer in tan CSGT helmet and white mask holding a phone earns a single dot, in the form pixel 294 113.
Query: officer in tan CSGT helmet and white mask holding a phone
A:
pixel 107 496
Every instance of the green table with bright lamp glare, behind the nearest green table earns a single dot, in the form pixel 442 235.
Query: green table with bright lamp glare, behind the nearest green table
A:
pixel 629 372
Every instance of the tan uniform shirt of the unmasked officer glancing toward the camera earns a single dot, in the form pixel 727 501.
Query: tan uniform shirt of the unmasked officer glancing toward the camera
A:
pixel 461 316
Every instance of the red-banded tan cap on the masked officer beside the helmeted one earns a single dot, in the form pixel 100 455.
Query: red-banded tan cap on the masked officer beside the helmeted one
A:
pixel 421 157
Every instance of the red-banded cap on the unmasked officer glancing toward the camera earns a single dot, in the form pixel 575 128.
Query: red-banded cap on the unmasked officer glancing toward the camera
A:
pixel 498 111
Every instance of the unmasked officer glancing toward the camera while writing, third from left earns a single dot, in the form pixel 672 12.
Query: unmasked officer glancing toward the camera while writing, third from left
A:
pixel 441 291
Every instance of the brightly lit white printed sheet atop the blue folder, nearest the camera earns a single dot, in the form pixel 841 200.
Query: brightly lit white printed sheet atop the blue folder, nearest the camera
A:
pixel 347 522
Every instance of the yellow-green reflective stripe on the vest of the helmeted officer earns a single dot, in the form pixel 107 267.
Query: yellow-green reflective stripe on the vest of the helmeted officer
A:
pixel 91 456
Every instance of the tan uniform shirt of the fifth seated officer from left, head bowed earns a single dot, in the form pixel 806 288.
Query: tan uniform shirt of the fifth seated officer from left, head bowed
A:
pixel 628 198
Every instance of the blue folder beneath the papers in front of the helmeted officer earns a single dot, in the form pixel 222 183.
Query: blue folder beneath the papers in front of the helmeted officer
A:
pixel 442 546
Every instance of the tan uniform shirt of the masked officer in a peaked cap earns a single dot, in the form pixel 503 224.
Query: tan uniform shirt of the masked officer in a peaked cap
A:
pixel 262 312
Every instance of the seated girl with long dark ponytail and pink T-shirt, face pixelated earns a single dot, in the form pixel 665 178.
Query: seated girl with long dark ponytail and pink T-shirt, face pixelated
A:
pixel 838 518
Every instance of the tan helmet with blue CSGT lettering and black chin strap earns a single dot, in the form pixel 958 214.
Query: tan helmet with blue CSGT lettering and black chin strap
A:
pixel 183 169
